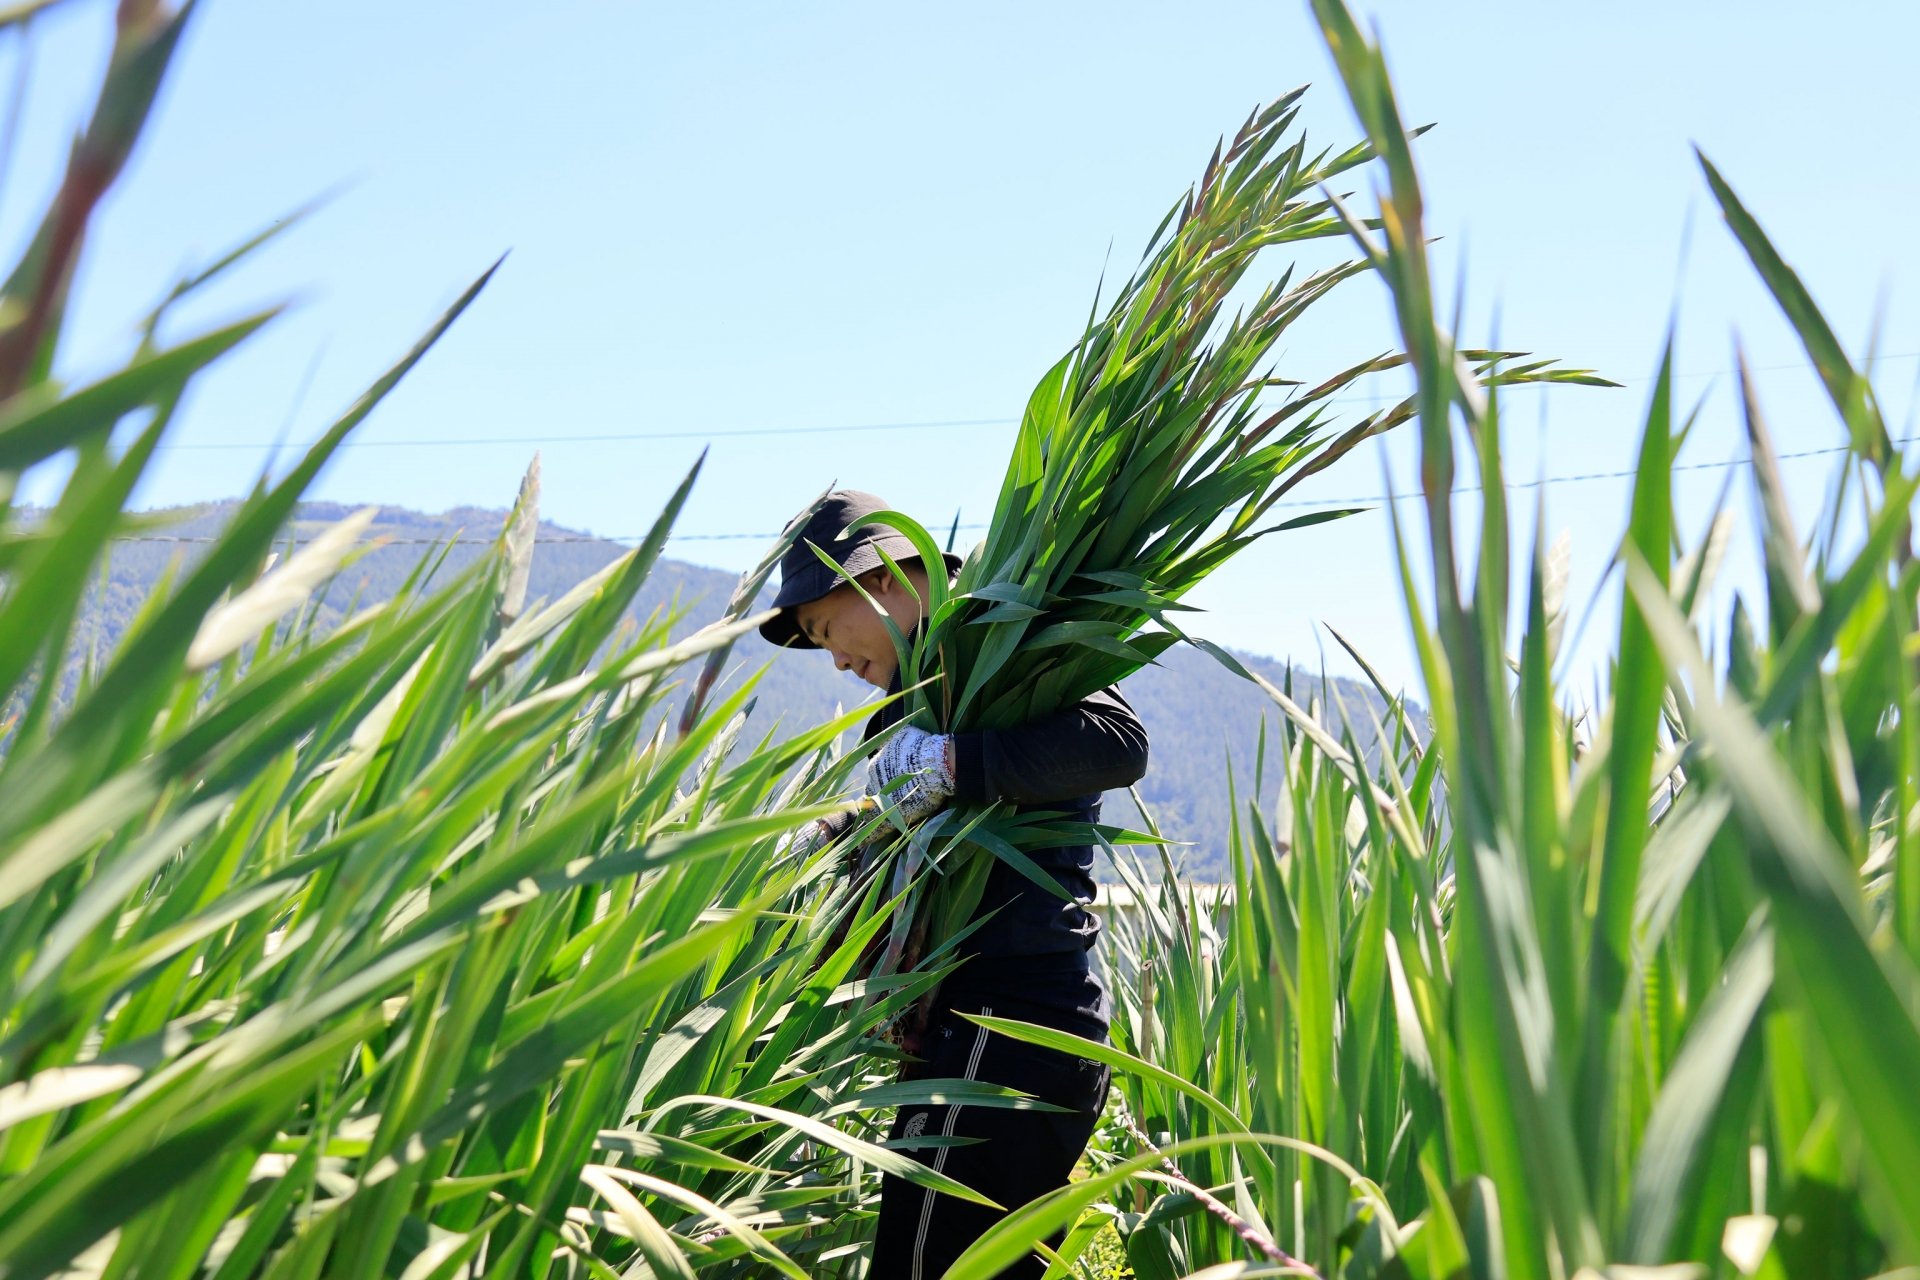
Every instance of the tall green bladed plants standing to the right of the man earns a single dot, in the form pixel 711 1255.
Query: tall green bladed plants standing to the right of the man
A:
pixel 1556 993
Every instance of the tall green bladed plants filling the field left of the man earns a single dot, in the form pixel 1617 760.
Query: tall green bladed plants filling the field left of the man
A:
pixel 452 941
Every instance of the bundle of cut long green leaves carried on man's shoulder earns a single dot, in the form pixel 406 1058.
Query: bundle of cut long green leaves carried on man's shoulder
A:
pixel 1147 458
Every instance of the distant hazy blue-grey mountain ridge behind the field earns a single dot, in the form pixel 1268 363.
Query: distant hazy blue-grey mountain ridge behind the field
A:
pixel 1201 719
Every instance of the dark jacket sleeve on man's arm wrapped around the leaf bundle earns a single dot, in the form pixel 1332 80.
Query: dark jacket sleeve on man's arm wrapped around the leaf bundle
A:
pixel 1095 746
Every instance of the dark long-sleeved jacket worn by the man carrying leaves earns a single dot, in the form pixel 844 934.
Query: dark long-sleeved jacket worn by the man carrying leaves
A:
pixel 1055 765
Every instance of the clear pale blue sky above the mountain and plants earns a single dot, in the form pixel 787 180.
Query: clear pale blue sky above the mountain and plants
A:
pixel 796 216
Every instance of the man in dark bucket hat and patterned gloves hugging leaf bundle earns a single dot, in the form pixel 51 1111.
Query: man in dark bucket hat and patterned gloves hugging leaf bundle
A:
pixel 1032 960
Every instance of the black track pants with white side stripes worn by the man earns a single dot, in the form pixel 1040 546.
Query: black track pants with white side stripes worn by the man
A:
pixel 1020 1154
